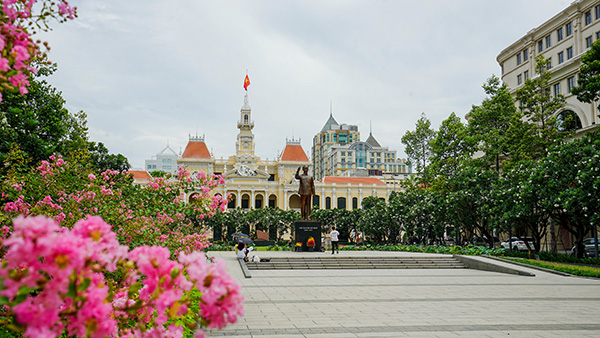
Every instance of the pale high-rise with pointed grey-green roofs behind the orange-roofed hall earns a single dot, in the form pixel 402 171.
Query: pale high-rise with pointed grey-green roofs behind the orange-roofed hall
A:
pixel 338 151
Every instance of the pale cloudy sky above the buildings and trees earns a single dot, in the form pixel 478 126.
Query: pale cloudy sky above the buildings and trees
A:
pixel 151 73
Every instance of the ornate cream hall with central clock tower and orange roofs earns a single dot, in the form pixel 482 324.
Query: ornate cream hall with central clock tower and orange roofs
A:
pixel 254 183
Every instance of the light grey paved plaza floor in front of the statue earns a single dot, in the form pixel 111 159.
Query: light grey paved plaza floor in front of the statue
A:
pixel 411 302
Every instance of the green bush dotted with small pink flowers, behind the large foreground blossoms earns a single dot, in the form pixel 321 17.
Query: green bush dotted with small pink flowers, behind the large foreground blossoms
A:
pixel 154 215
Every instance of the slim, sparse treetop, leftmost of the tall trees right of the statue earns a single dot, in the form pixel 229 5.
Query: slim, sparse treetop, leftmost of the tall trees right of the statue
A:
pixel 418 144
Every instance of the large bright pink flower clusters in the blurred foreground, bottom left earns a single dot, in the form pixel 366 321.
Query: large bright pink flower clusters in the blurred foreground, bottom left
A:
pixel 52 281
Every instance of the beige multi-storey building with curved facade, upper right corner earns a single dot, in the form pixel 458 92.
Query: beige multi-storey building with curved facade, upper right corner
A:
pixel 563 39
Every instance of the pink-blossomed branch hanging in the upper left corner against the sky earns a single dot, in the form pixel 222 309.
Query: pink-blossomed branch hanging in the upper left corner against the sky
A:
pixel 19 20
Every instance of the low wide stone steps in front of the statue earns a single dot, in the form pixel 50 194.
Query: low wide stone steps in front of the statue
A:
pixel 339 262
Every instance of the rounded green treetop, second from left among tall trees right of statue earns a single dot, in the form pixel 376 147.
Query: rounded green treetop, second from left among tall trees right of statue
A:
pixel 450 147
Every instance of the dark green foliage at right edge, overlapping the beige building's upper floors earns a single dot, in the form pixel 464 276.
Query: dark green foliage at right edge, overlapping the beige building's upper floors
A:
pixel 588 89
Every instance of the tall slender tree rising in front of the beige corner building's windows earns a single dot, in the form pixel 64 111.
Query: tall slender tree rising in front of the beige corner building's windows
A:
pixel 540 108
